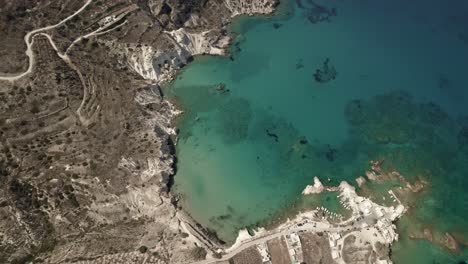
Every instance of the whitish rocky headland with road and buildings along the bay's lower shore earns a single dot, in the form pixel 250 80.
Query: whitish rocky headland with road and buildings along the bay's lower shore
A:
pixel 370 227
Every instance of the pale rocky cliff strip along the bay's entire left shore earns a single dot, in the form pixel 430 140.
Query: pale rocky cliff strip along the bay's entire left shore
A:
pixel 161 66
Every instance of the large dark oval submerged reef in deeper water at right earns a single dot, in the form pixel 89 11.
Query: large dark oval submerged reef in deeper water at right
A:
pixel 394 118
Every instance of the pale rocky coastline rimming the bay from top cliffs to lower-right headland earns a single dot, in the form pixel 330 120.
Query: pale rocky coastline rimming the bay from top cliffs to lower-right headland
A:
pixel 160 66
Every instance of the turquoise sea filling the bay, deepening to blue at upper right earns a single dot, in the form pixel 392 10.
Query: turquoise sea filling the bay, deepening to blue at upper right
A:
pixel 319 89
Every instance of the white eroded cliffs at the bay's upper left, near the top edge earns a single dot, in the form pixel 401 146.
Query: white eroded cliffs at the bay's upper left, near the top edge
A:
pixel 161 65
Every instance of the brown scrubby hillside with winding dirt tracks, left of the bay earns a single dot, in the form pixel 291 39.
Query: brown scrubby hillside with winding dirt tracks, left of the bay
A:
pixel 86 155
